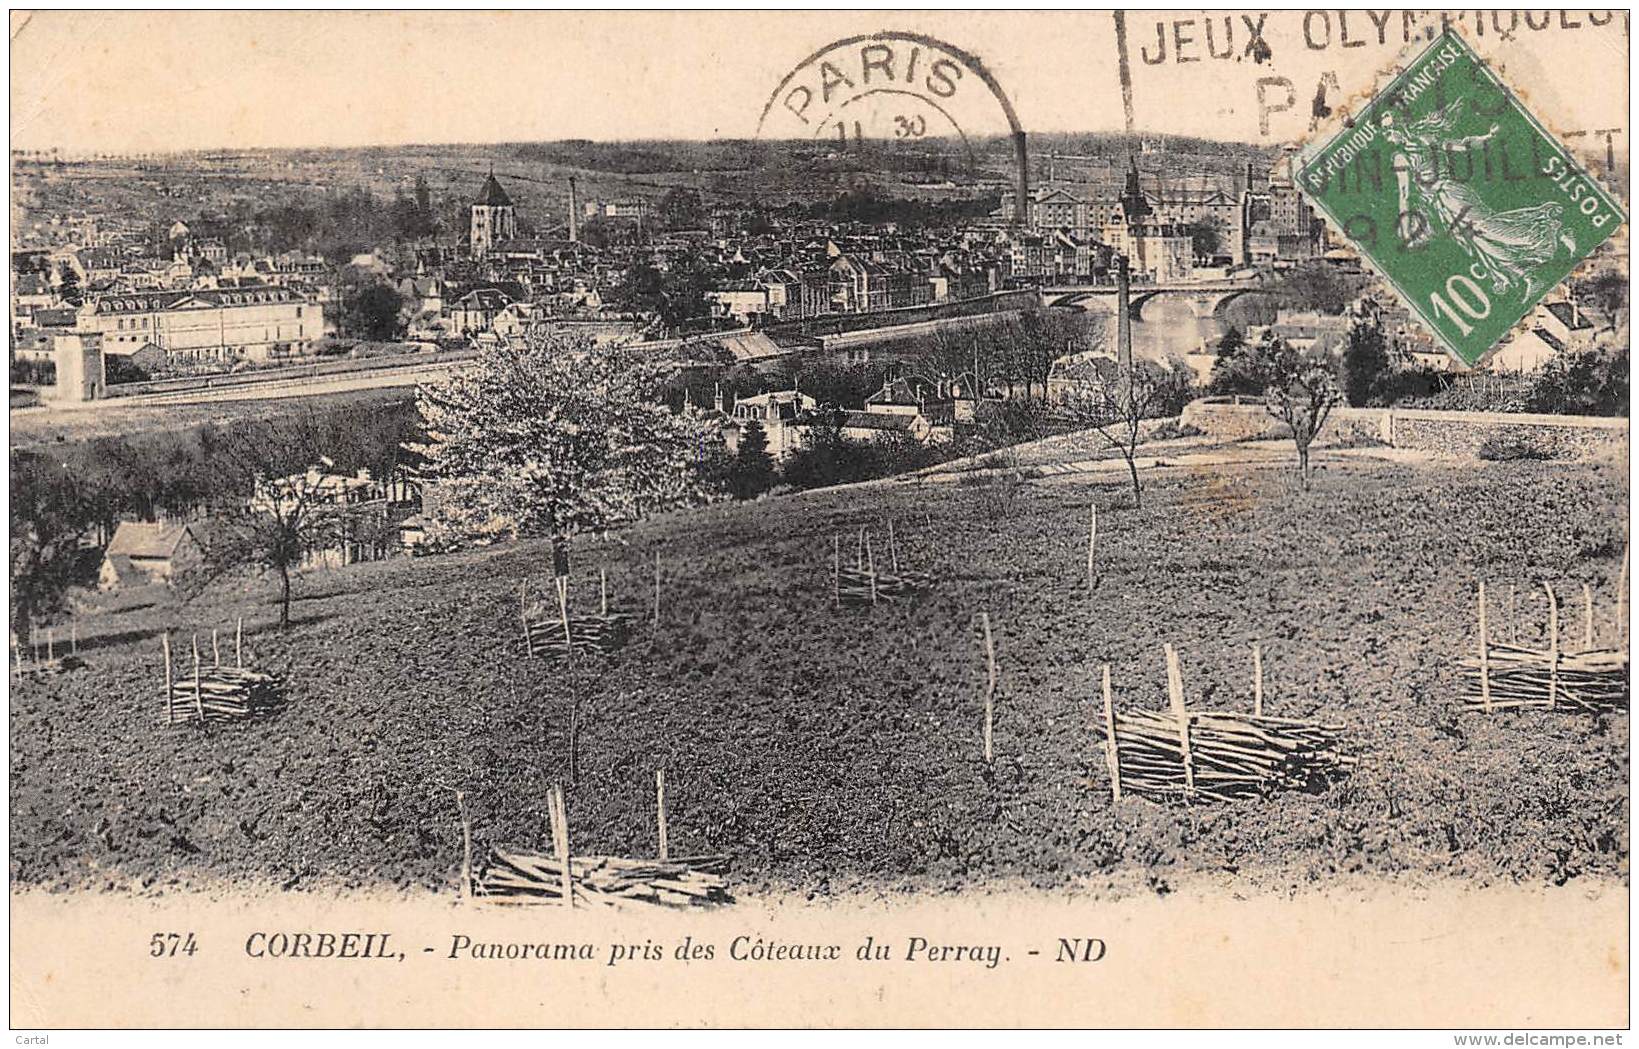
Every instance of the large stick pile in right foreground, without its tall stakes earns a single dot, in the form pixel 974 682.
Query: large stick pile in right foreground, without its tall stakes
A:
pixel 1225 756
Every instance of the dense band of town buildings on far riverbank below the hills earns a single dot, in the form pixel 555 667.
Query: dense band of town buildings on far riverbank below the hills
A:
pixel 101 299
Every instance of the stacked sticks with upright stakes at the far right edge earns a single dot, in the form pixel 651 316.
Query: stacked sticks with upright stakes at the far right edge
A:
pixel 1514 676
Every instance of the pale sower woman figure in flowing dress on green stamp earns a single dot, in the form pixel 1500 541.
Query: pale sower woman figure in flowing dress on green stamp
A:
pixel 1509 245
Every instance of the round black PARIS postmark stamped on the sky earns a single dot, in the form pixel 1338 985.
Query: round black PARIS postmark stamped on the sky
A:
pixel 899 91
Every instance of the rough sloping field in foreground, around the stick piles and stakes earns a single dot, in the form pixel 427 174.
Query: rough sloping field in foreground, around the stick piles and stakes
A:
pixel 832 752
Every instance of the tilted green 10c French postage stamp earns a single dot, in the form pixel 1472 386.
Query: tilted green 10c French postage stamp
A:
pixel 1460 198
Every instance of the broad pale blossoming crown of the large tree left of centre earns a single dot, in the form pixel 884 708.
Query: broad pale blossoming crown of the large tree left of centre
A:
pixel 555 438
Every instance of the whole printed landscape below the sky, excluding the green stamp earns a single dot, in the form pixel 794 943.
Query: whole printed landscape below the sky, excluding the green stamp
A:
pixel 802 504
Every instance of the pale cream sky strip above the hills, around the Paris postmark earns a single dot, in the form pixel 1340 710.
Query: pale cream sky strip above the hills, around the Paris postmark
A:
pixel 148 83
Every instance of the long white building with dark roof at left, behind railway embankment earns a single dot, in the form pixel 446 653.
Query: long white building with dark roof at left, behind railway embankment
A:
pixel 207 325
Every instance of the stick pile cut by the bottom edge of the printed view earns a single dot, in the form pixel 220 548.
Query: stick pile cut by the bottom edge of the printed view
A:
pixel 515 876
